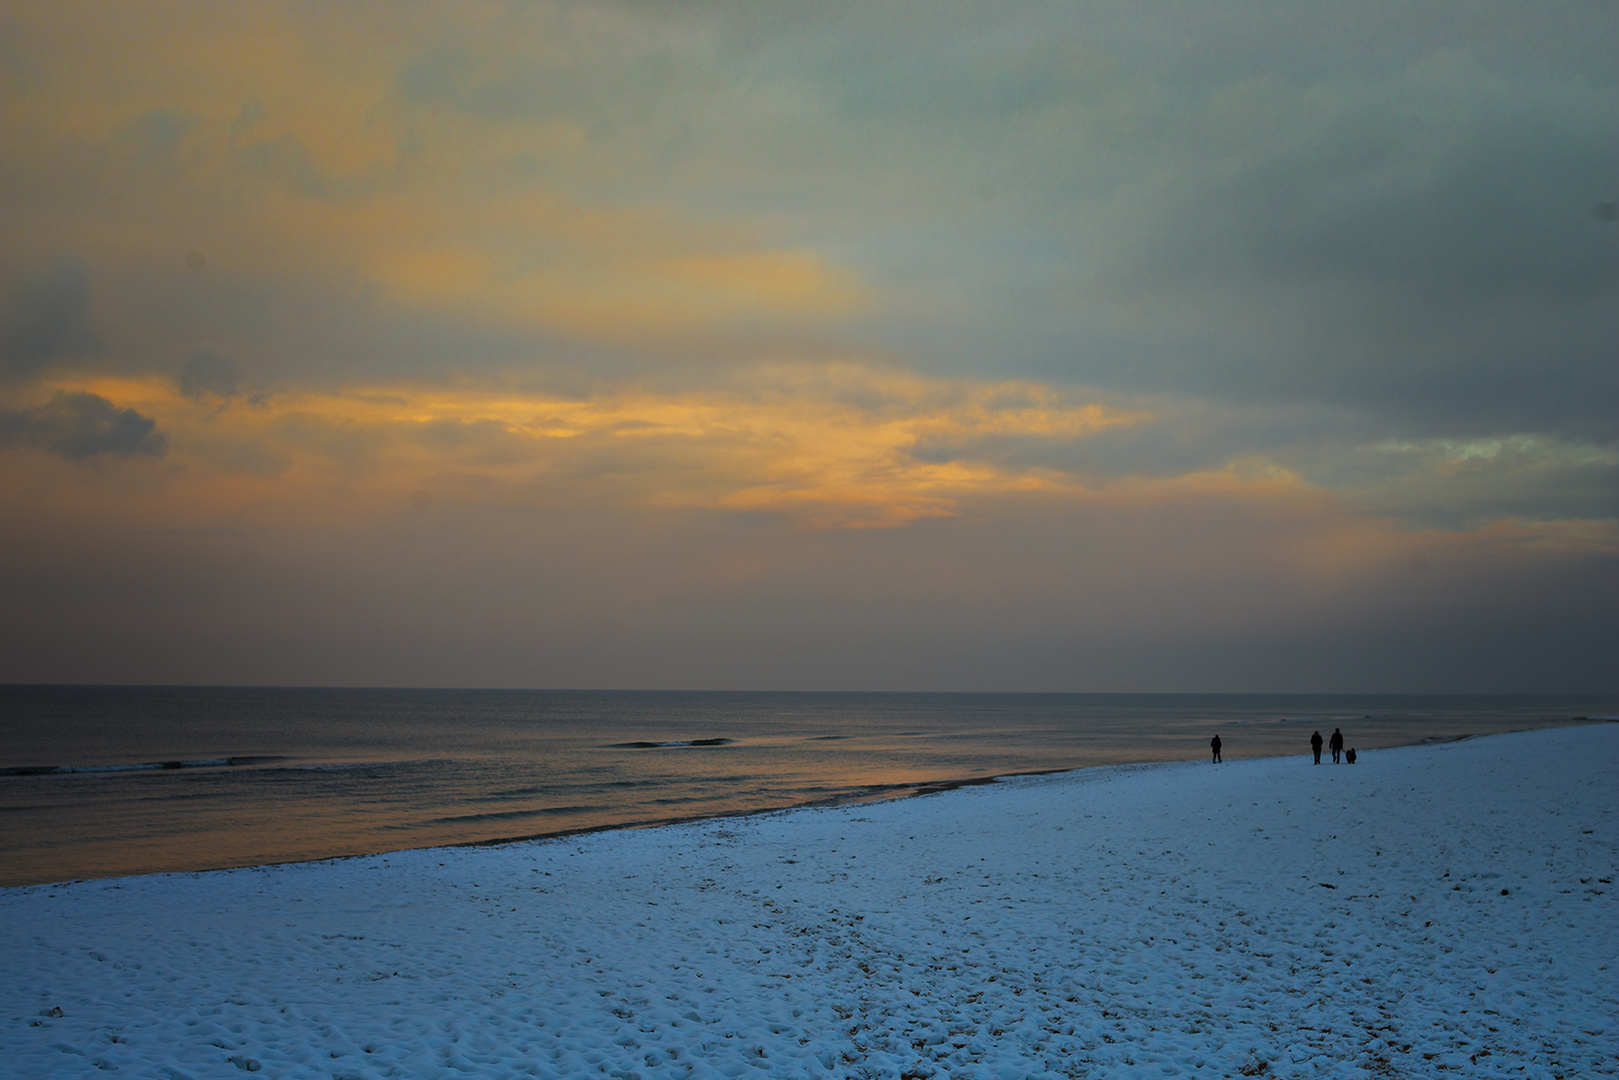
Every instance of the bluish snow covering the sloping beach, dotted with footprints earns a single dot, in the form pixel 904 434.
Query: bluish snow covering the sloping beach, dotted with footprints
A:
pixel 1430 909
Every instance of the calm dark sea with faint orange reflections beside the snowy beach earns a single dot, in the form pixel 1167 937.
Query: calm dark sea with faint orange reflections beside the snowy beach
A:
pixel 101 781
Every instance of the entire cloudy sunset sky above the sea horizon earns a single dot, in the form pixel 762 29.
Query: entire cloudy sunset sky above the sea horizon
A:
pixel 1097 347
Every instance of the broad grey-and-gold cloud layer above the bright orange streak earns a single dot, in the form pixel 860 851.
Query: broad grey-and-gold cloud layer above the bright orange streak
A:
pixel 1061 193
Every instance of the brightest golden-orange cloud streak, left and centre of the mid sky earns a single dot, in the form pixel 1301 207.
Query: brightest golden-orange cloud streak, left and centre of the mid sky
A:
pixel 826 448
